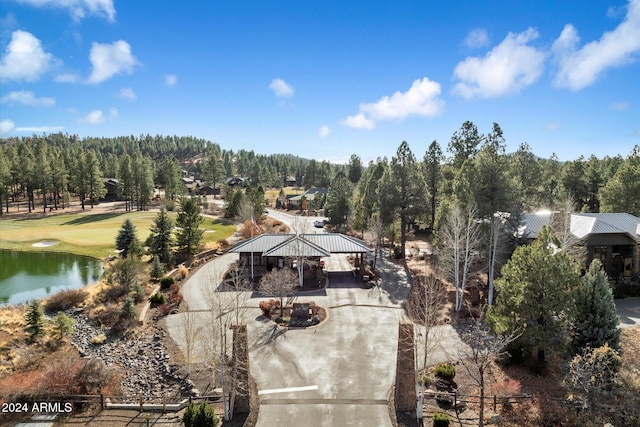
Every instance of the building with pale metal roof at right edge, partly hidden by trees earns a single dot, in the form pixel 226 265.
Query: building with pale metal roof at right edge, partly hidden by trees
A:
pixel 613 238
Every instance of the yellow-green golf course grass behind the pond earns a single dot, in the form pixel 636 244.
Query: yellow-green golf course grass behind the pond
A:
pixel 88 234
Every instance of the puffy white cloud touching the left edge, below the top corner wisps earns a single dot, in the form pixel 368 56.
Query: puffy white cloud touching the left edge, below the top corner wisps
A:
pixel 24 58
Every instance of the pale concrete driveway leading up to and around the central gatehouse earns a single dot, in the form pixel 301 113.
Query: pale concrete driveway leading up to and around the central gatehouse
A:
pixel 339 373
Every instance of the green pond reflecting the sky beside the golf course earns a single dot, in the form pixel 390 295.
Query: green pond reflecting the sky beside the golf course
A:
pixel 33 275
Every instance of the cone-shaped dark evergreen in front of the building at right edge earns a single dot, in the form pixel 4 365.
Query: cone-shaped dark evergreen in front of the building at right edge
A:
pixel 595 322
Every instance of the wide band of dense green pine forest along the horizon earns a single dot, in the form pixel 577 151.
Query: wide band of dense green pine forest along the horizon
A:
pixel 471 167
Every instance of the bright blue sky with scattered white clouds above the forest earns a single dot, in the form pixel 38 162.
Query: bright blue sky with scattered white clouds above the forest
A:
pixel 326 79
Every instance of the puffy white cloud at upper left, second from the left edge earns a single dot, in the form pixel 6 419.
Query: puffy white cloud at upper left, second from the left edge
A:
pixel 110 59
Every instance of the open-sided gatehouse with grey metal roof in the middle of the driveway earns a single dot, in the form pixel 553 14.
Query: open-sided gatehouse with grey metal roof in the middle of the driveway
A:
pixel 268 251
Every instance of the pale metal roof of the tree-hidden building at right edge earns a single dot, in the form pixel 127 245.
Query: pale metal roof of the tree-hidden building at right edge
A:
pixel 585 224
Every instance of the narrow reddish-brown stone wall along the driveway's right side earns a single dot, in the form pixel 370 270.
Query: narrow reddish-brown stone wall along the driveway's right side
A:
pixel 405 391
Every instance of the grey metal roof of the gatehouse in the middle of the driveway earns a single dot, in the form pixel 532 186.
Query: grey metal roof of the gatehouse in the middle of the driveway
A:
pixel 301 244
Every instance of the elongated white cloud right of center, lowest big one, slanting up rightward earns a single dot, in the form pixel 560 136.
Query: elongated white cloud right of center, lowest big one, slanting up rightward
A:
pixel 422 99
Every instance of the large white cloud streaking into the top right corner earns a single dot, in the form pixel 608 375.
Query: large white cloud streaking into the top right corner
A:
pixel 580 67
